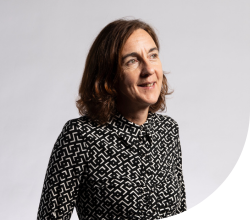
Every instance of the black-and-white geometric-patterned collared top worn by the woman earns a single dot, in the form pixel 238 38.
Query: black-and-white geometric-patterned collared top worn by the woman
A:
pixel 119 170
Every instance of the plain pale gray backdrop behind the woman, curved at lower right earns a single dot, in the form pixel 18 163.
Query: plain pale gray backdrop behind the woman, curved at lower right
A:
pixel 204 45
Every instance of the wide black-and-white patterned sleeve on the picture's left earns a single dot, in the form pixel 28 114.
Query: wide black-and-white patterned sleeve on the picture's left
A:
pixel 64 175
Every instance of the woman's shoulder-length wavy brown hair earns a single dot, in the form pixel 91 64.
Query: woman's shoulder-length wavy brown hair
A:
pixel 98 87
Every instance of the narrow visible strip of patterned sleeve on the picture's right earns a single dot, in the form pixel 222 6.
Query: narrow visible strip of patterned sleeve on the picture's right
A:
pixel 179 173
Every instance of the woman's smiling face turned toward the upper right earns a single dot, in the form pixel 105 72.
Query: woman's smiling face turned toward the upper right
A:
pixel 141 78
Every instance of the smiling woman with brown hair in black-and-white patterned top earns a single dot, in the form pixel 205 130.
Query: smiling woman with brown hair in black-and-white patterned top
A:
pixel 119 160
